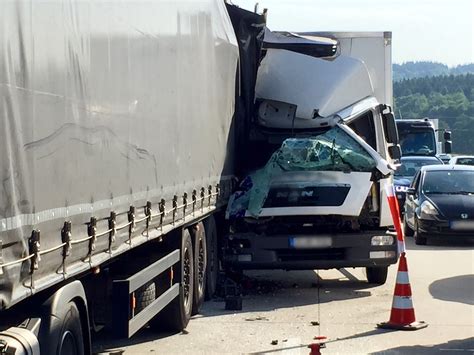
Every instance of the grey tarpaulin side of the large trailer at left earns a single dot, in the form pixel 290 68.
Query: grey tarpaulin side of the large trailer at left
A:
pixel 104 105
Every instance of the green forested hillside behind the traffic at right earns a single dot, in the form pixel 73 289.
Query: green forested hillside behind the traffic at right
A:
pixel 449 98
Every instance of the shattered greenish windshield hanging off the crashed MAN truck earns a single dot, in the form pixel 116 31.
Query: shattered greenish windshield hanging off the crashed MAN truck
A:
pixel 334 150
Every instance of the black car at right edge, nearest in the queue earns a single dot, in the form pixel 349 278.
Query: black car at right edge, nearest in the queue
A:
pixel 440 203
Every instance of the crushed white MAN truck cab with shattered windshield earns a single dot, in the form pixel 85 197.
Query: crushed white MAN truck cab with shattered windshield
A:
pixel 330 145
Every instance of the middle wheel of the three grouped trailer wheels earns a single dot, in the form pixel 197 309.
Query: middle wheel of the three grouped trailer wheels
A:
pixel 200 262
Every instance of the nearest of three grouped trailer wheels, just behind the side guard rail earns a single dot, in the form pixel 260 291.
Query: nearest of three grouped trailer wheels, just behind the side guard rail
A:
pixel 175 316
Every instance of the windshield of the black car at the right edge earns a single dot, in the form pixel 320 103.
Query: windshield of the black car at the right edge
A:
pixel 449 182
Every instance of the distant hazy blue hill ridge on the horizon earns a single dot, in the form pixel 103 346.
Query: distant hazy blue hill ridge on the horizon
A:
pixel 410 70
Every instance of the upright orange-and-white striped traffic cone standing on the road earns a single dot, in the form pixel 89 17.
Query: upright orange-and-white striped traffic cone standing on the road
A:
pixel 402 316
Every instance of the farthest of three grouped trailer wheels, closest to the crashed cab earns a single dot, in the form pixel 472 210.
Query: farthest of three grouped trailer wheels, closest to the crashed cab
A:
pixel 212 269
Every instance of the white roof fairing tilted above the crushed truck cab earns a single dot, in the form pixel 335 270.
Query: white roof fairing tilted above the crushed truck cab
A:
pixel 316 87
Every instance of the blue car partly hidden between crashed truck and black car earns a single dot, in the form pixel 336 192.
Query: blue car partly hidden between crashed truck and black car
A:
pixel 406 172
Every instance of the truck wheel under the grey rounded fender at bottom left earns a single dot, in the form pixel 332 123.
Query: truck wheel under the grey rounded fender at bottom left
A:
pixel 71 337
